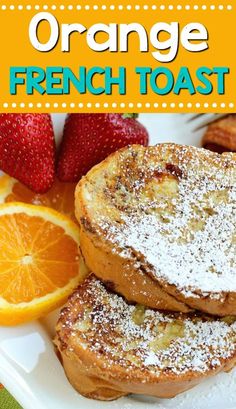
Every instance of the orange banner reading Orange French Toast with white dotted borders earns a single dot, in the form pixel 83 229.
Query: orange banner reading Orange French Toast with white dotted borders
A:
pixel 117 56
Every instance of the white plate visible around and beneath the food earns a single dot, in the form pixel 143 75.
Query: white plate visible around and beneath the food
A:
pixel 30 370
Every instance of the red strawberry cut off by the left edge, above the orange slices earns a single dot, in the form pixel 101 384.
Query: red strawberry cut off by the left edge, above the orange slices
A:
pixel 27 149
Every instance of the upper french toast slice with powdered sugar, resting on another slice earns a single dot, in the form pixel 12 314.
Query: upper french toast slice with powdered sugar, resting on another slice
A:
pixel 157 224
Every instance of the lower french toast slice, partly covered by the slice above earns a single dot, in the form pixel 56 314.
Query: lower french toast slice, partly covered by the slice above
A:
pixel 109 348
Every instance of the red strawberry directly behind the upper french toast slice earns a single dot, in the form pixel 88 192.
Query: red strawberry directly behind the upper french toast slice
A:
pixel 90 138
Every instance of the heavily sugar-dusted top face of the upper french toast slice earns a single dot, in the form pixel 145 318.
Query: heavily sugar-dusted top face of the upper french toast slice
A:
pixel 185 236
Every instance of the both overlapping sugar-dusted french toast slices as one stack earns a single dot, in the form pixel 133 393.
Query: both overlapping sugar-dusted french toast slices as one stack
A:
pixel 157 313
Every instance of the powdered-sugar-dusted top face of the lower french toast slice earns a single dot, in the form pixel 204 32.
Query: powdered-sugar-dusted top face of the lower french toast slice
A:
pixel 132 336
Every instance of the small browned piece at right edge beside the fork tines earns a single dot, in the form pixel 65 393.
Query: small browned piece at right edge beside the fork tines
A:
pixel 220 136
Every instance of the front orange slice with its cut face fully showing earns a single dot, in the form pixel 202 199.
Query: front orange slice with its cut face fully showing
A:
pixel 40 262
